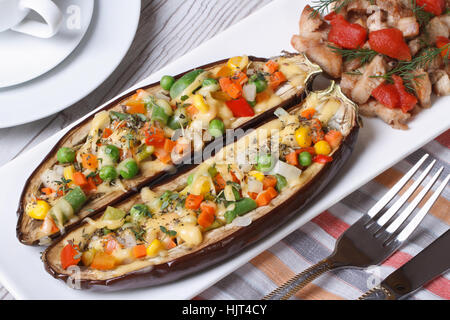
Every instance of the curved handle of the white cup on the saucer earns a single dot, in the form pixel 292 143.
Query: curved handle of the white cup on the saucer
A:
pixel 49 12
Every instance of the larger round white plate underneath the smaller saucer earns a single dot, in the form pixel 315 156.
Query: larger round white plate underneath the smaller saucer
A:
pixel 112 29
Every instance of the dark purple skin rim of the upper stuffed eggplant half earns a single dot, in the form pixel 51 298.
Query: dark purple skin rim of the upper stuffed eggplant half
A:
pixel 25 224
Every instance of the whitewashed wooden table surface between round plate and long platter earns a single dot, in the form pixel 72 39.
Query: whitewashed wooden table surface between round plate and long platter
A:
pixel 159 40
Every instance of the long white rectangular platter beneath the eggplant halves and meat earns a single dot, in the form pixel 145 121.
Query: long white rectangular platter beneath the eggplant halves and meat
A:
pixel 378 148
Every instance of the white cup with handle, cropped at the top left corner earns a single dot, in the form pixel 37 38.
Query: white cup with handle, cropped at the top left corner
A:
pixel 13 15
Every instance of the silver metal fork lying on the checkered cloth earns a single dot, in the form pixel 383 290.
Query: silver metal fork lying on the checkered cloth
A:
pixel 368 241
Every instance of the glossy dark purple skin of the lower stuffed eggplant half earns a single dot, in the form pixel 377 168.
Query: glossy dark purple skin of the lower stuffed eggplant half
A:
pixel 229 246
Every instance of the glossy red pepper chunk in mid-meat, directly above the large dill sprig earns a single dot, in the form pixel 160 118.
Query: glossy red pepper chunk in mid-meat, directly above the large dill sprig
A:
pixel 390 42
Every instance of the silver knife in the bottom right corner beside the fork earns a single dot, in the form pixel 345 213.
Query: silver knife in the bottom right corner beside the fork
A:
pixel 428 264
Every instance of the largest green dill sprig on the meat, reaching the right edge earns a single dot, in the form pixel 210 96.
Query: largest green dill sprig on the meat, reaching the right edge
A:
pixel 406 69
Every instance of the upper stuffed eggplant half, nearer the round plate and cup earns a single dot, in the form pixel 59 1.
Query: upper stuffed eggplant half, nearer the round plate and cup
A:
pixel 139 137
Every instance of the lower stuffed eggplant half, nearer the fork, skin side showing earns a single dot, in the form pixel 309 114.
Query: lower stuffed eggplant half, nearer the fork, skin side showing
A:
pixel 241 194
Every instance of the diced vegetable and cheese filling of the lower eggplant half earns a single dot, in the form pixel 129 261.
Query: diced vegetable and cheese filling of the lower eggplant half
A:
pixel 214 195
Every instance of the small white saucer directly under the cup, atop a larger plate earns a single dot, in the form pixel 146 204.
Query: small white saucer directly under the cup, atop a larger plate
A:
pixel 18 51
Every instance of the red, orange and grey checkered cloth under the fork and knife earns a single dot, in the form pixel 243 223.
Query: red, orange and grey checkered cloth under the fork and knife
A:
pixel 316 239
